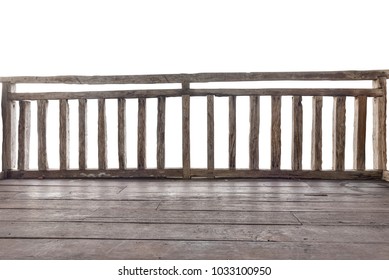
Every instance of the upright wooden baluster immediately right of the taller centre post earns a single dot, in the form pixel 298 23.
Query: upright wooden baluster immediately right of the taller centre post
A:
pixel 210 134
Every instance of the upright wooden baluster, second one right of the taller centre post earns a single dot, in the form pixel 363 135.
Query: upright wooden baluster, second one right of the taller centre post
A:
pixel 232 132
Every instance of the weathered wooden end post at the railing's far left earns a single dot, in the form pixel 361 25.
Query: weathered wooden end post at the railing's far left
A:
pixel 9 128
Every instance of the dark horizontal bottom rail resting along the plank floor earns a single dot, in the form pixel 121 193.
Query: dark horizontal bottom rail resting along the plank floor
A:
pixel 196 173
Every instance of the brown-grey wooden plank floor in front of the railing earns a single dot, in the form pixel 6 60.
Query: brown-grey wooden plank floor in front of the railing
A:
pixel 197 219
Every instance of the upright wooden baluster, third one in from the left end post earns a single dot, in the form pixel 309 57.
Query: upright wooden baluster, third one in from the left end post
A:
pixel 64 134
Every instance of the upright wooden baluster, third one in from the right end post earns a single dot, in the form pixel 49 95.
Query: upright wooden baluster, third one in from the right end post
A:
pixel 316 149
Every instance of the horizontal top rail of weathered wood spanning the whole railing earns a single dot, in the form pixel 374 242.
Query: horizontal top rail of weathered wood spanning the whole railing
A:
pixel 202 77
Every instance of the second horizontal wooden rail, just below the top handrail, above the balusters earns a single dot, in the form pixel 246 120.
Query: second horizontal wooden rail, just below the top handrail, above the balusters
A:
pixel 198 92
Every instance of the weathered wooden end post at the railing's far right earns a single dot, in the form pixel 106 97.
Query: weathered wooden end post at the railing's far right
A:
pixel 379 126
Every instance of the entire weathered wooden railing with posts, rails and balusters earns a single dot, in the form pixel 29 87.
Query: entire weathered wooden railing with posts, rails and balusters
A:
pixel 16 142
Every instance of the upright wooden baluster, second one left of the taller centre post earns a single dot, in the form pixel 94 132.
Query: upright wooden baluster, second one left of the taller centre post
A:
pixel 141 133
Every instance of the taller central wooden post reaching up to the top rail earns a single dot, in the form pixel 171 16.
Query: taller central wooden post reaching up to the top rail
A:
pixel 185 131
